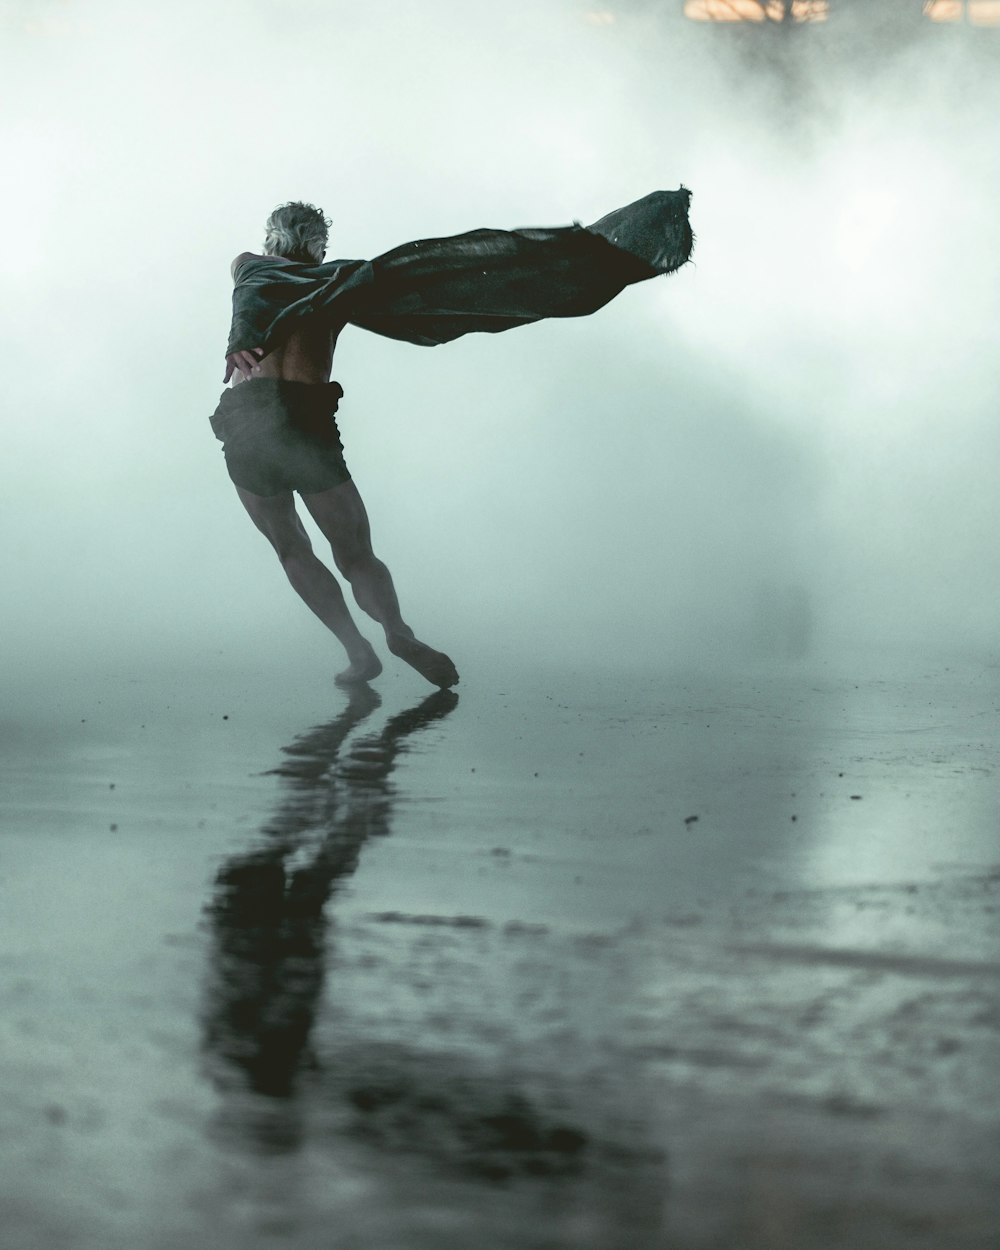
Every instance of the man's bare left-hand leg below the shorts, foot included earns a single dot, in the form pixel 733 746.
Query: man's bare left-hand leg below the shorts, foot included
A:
pixel 277 519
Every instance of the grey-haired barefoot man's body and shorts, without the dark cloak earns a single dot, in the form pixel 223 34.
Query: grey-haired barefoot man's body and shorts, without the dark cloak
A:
pixel 282 437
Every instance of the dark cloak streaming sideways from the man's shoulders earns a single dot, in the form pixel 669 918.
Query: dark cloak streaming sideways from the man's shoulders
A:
pixel 436 291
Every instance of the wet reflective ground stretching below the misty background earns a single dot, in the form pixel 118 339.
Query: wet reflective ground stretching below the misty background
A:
pixel 567 961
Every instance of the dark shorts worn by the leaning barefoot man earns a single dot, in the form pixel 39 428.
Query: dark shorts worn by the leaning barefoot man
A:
pixel 279 437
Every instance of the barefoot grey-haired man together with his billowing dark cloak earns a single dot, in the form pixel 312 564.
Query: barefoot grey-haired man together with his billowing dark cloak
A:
pixel 277 422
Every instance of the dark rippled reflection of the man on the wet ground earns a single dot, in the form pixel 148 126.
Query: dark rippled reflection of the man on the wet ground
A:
pixel 268 911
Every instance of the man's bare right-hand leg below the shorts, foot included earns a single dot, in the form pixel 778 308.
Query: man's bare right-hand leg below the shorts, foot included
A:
pixel 342 517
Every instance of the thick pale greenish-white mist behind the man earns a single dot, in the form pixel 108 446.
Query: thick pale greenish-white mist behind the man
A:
pixel 787 448
